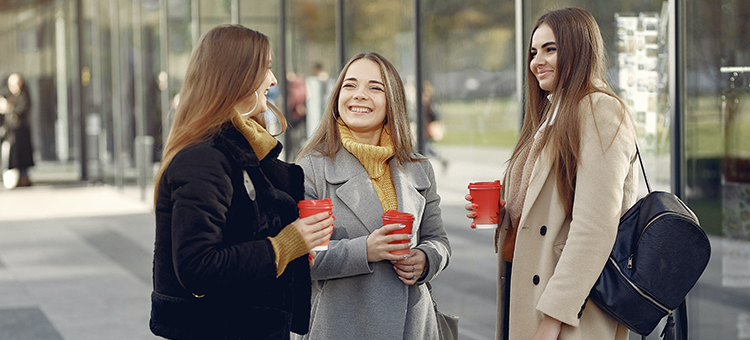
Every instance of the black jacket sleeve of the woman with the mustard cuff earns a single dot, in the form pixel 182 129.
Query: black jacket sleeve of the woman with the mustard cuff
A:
pixel 201 195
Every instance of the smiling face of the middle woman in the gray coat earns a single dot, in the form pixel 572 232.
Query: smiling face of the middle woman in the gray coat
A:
pixel 362 101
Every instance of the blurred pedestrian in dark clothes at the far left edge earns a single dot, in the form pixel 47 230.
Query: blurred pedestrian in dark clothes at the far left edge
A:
pixel 16 109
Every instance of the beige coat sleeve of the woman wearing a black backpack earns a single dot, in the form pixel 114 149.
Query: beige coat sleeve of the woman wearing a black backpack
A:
pixel 606 153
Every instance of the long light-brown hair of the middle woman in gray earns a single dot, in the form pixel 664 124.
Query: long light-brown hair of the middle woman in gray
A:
pixel 326 139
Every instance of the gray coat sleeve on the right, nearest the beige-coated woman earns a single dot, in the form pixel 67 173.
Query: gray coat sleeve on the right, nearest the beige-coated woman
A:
pixel 433 240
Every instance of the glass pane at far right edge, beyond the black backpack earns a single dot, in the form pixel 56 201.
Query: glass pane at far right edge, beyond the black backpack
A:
pixel 717 152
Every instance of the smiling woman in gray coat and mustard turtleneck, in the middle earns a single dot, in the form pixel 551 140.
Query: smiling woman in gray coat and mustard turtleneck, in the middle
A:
pixel 362 158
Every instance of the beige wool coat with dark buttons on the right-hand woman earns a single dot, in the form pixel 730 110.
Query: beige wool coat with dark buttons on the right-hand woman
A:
pixel 556 259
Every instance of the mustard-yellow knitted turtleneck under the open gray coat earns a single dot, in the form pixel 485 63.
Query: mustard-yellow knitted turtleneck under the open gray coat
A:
pixel 375 160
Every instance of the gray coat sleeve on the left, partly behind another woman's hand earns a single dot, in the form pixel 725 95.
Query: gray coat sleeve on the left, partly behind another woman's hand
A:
pixel 345 257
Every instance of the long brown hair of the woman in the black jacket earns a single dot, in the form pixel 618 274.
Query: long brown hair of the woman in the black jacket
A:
pixel 228 64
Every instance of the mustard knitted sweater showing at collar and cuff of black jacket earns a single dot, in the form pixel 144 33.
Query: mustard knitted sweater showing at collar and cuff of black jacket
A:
pixel 289 243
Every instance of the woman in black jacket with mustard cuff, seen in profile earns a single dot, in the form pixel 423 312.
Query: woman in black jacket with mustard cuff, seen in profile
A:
pixel 231 256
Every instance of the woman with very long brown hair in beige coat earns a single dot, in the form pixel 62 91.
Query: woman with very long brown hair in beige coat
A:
pixel 569 179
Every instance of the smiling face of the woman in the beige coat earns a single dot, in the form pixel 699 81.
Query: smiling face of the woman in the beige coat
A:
pixel 543 57
